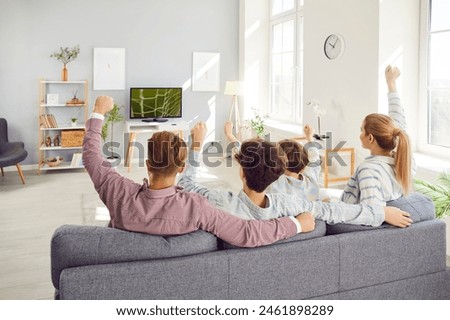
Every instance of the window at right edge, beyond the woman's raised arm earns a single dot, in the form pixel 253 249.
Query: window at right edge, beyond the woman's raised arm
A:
pixel 438 76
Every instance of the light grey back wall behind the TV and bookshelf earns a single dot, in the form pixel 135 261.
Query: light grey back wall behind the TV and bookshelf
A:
pixel 159 37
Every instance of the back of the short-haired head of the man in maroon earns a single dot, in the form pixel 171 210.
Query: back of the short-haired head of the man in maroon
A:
pixel 167 154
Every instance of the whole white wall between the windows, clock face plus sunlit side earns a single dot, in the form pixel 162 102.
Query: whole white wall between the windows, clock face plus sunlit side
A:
pixel 376 33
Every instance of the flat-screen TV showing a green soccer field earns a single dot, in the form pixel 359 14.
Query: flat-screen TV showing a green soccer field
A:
pixel 155 104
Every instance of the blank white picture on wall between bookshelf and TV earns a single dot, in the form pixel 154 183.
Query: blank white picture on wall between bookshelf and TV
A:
pixel 109 69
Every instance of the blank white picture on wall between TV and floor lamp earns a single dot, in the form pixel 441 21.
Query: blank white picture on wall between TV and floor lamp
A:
pixel 206 71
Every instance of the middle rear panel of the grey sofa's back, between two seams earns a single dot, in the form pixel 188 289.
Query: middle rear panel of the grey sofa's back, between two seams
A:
pixel 292 271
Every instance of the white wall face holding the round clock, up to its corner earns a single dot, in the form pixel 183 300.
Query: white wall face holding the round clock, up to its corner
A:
pixel 348 86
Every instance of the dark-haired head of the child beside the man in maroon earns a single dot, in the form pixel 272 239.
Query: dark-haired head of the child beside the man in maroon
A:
pixel 262 163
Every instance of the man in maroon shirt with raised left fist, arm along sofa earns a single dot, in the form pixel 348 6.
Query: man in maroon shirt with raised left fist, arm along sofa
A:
pixel 160 207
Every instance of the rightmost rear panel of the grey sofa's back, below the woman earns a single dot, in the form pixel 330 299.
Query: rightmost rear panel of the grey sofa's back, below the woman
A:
pixel 390 254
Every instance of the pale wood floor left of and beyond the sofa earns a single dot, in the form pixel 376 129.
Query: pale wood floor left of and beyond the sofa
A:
pixel 30 213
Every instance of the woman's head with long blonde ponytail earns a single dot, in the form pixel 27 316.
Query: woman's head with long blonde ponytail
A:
pixel 382 130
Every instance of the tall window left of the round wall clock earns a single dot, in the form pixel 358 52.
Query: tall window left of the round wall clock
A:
pixel 286 26
